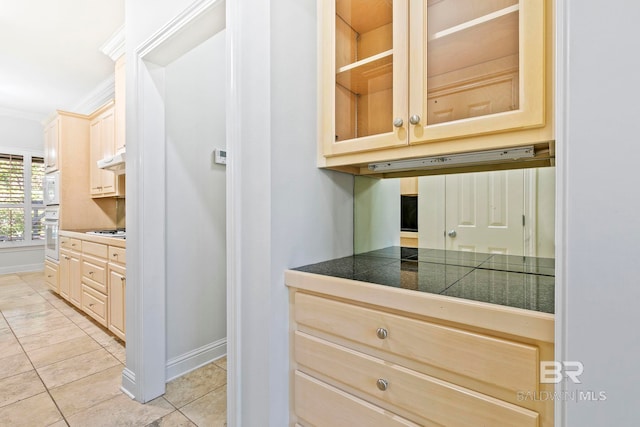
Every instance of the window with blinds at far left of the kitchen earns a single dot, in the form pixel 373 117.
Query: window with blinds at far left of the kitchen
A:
pixel 21 198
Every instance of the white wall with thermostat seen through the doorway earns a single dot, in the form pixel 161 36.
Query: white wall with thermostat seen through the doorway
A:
pixel 196 207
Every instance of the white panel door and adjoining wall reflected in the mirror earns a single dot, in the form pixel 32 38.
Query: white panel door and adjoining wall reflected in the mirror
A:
pixel 489 212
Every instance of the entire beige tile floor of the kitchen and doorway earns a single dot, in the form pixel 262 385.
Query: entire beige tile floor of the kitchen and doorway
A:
pixel 59 368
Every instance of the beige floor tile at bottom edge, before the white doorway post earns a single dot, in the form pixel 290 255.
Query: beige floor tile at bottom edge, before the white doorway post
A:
pixel 121 411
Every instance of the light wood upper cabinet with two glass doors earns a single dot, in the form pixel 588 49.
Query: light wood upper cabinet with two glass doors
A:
pixel 402 79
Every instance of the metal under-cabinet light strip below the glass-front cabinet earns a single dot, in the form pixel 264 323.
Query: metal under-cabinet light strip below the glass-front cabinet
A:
pixel 455 159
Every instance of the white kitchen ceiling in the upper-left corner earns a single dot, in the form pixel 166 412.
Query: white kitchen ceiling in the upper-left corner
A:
pixel 50 54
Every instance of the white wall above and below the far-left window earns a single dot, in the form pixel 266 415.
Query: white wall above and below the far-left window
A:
pixel 21 134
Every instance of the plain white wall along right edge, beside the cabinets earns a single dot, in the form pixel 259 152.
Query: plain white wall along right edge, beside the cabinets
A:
pixel 598 202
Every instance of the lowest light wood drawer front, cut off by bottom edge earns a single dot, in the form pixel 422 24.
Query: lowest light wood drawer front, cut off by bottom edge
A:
pixel 319 404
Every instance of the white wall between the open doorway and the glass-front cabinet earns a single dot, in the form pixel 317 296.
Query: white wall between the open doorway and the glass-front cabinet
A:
pixel 288 212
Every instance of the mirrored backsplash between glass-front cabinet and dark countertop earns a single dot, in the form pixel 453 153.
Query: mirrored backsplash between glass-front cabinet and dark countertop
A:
pixel 509 212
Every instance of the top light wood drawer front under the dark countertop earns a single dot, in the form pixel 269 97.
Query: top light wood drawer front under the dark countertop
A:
pixel 507 364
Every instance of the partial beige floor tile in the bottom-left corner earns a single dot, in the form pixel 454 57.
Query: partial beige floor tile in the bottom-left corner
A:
pixel 38 410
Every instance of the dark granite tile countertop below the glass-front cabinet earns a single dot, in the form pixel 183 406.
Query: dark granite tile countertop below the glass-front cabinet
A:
pixel 509 280
